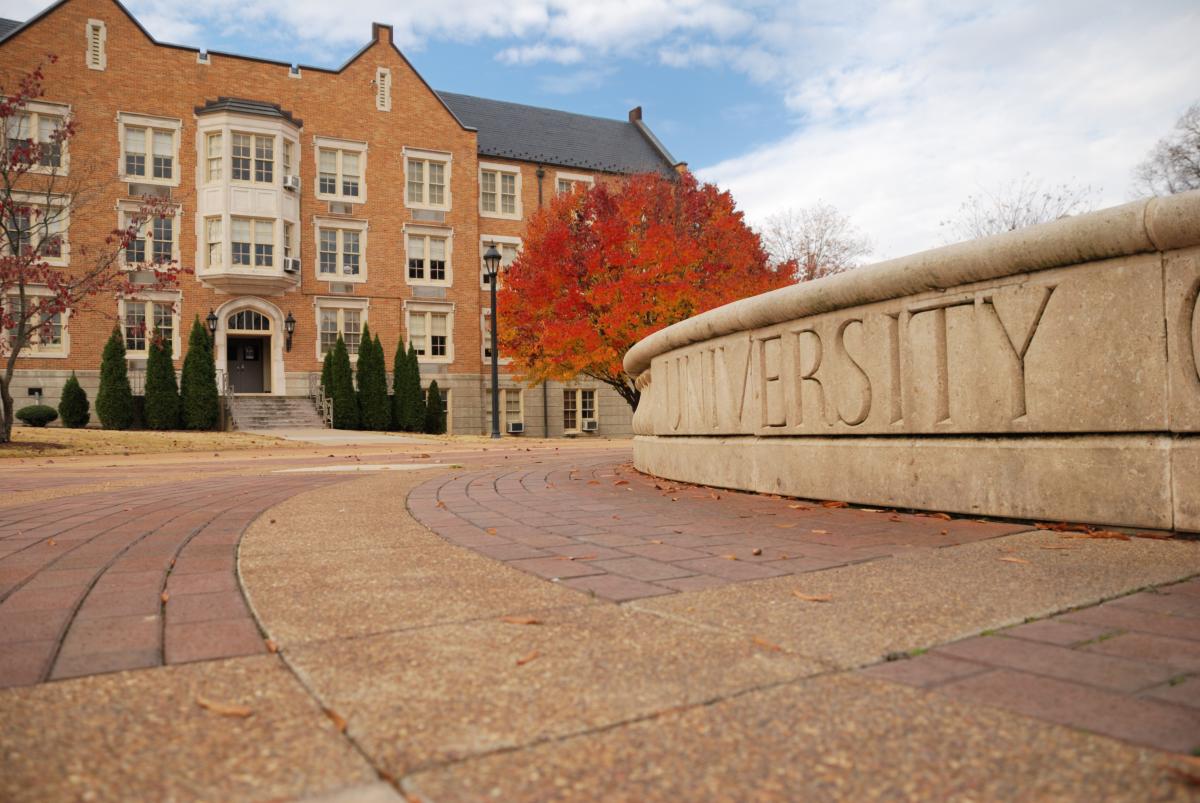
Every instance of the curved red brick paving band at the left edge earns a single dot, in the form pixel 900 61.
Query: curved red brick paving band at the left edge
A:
pixel 130 579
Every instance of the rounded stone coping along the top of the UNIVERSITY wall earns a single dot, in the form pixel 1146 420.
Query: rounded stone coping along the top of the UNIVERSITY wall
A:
pixel 1141 227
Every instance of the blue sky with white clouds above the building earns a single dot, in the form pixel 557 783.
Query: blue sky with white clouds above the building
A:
pixel 893 112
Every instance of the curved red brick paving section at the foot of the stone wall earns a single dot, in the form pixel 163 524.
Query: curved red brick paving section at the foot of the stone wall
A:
pixel 599 526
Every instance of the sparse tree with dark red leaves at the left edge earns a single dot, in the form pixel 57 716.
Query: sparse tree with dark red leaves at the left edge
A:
pixel 39 196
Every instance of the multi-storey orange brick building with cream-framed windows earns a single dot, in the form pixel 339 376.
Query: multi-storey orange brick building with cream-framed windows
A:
pixel 338 197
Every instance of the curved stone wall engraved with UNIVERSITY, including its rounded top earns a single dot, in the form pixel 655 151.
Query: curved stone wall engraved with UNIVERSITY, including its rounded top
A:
pixel 1049 374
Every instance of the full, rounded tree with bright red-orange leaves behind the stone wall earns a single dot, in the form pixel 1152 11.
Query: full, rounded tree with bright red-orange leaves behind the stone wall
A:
pixel 602 269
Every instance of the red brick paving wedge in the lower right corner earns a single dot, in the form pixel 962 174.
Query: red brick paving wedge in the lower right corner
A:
pixel 1129 669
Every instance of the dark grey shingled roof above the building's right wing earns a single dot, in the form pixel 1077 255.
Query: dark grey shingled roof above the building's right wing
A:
pixel 537 135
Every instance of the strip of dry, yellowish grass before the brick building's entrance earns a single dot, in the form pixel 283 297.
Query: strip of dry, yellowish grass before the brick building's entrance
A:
pixel 53 442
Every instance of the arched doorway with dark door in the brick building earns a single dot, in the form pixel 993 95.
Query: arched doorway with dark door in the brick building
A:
pixel 249 346
